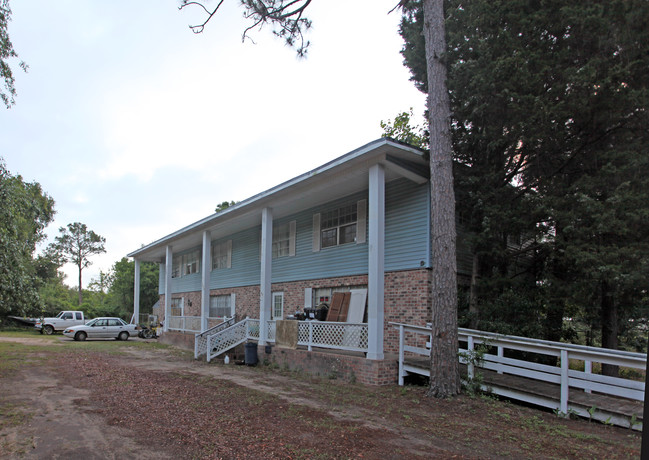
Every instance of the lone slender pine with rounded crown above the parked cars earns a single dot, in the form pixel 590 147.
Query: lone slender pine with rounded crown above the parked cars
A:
pixel 76 244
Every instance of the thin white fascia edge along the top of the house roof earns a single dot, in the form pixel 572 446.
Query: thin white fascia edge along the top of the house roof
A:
pixel 371 146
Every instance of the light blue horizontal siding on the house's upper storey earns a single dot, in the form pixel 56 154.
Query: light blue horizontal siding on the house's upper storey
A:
pixel 406 245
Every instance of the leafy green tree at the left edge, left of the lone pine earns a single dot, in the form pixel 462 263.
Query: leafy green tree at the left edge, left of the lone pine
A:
pixel 25 211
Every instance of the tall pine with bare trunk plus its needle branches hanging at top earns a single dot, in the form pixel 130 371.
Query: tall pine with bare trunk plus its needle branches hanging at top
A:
pixel 287 18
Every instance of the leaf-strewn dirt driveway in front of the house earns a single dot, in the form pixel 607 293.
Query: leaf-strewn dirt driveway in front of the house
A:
pixel 62 399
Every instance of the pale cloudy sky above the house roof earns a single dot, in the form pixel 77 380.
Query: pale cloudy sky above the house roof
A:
pixel 137 127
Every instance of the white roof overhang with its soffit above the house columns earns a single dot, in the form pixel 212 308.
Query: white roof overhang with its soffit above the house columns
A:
pixel 341 177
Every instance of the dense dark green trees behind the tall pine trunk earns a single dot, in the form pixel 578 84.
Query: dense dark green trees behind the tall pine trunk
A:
pixel 549 103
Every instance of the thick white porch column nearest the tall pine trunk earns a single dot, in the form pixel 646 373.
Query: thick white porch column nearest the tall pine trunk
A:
pixel 376 271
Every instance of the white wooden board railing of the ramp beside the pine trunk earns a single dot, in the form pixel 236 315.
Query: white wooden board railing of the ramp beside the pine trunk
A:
pixel 414 341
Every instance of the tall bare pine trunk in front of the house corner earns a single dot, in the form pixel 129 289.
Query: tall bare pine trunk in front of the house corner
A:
pixel 444 368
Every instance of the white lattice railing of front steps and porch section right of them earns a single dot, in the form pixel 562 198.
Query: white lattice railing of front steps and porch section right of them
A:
pixel 330 335
